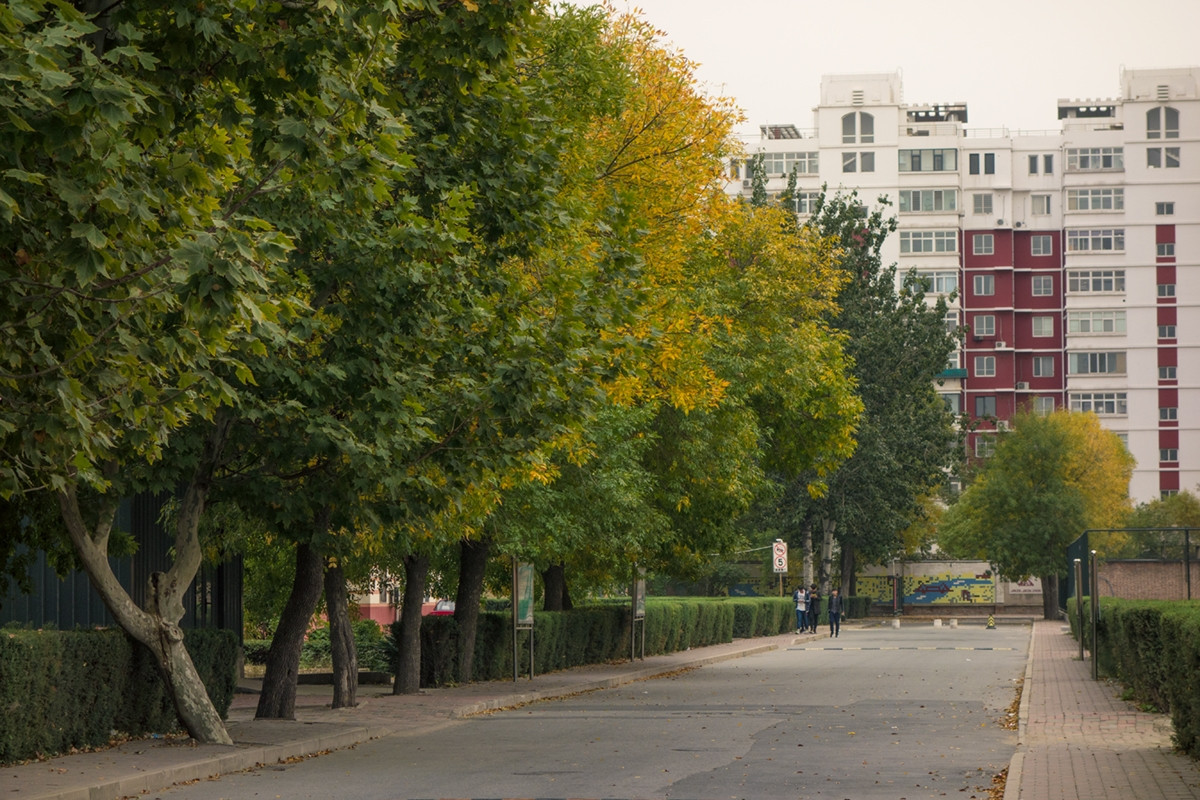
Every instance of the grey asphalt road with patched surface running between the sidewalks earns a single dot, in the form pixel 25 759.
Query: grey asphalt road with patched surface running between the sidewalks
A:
pixel 878 713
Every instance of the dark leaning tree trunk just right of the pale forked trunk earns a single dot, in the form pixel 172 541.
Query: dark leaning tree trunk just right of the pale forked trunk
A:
pixel 279 697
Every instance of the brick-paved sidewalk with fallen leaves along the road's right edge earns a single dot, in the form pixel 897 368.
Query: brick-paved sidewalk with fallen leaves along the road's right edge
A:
pixel 1081 742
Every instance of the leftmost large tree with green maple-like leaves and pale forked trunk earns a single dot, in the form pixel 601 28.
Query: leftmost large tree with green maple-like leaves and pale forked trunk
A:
pixel 142 274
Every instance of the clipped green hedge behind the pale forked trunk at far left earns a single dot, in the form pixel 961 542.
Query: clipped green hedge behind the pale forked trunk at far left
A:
pixel 65 690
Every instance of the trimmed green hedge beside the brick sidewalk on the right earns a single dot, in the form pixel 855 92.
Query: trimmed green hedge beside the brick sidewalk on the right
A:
pixel 1153 647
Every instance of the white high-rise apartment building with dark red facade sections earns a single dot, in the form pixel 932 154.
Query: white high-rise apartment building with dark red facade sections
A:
pixel 1075 254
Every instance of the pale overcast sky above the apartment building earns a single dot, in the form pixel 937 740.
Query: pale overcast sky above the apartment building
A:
pixel 1010 62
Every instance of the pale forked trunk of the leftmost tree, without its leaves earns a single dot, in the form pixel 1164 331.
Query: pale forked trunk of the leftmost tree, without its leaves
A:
pixel 158 625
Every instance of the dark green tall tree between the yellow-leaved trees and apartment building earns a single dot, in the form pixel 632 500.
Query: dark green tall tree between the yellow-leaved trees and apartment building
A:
pixel 905 440
